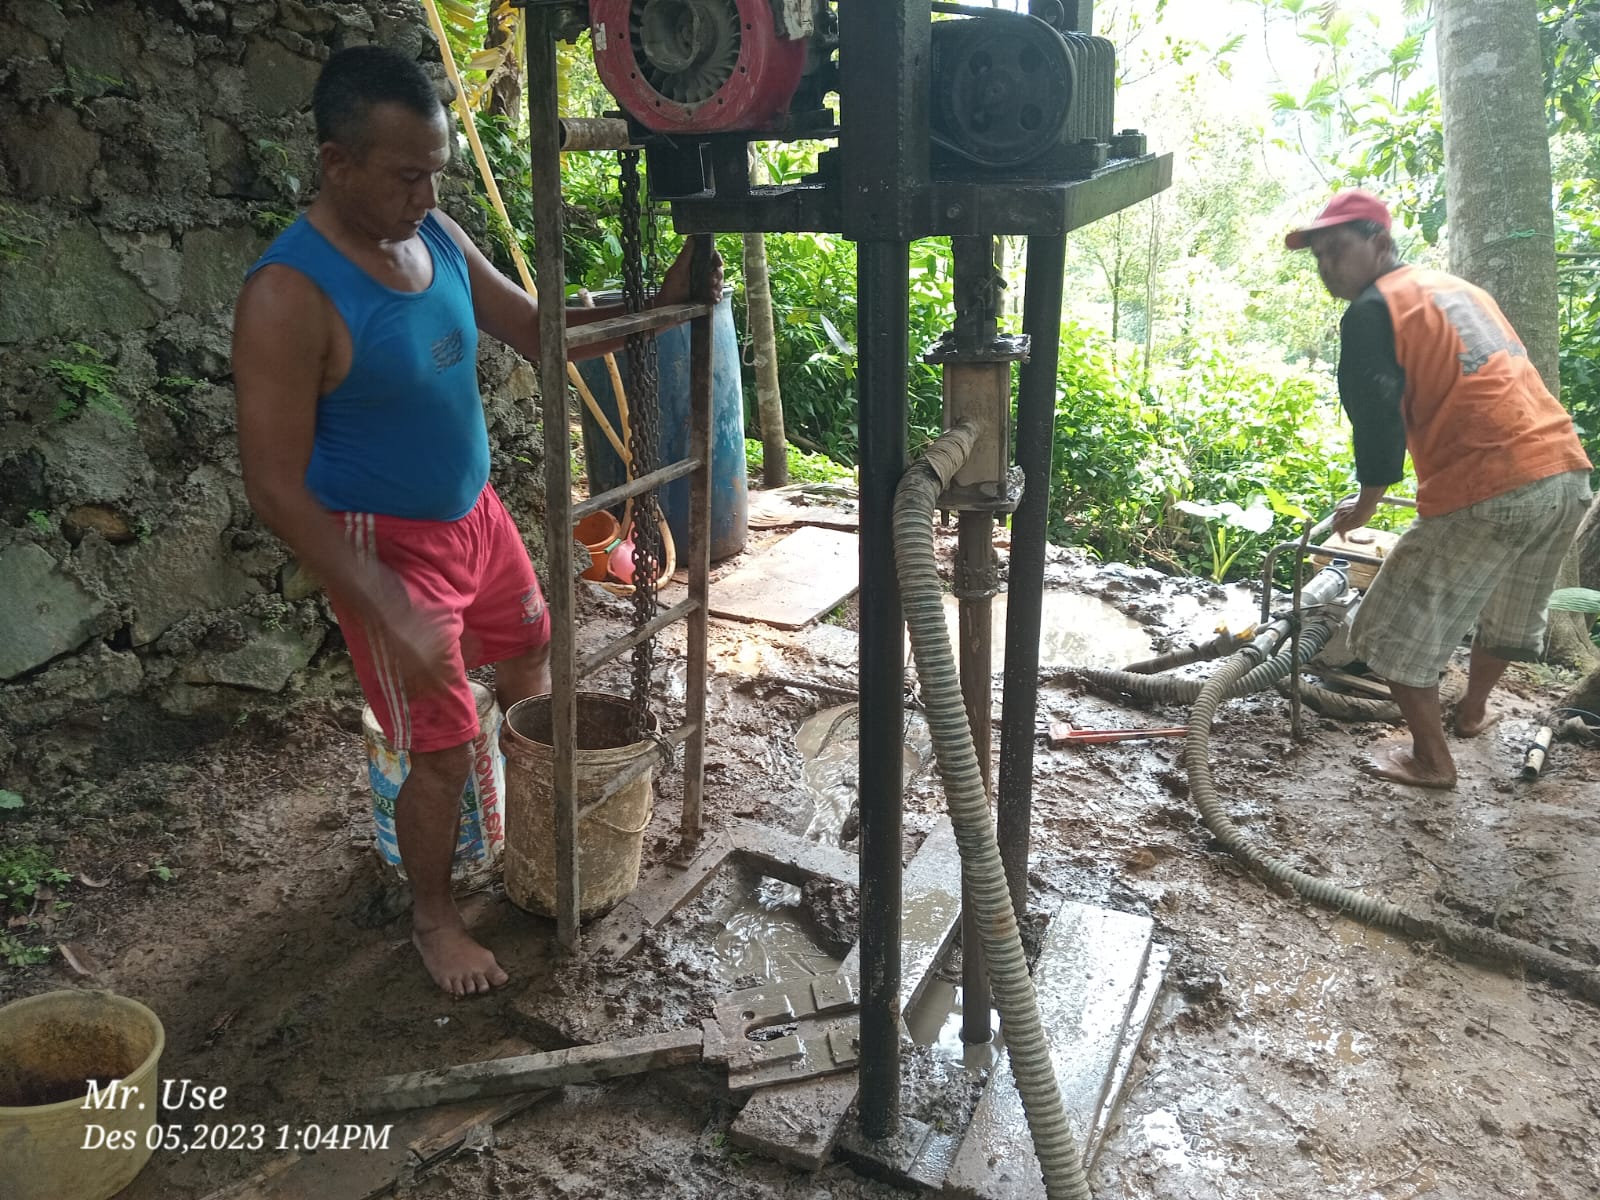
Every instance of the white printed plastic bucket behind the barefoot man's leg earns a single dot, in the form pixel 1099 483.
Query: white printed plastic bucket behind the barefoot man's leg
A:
pixel 482 831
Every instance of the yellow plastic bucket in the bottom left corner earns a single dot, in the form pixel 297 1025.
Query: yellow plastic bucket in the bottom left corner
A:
pixel 66 1130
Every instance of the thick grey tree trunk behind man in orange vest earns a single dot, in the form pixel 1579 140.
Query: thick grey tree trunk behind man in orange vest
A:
pixel 1498 182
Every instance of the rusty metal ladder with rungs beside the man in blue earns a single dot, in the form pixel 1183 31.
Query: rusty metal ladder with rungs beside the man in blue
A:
pixel 543 25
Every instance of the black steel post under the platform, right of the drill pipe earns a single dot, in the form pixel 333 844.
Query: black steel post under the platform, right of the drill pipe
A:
pixel 1036 418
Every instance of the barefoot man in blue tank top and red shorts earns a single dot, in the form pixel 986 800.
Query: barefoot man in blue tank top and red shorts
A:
pixel 364 447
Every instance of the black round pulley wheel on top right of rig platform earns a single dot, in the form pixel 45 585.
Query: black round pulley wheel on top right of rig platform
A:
pixel 1004 87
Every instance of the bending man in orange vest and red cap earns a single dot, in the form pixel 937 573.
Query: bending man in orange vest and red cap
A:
pixel 1430 364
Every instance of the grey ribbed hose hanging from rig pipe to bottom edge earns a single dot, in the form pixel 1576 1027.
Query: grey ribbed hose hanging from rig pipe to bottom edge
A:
pixel 953 743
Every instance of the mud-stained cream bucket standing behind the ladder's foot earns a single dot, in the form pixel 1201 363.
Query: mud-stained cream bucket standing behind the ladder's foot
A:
pixel 609 841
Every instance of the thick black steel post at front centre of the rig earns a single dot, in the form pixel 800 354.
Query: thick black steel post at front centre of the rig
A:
pixel 884 174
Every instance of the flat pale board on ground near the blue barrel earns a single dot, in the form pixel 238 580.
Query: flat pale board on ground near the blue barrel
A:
pixel 794 583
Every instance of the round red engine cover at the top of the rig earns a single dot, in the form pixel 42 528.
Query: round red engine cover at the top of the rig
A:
pixel 697 66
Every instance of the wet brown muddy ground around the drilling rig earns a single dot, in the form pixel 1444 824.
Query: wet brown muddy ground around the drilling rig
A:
pixel 231 886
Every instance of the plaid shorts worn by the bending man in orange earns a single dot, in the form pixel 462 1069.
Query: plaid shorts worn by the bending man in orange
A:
pixel 1492 564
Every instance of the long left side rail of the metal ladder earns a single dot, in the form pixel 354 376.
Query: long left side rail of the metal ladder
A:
pixel 545 137
